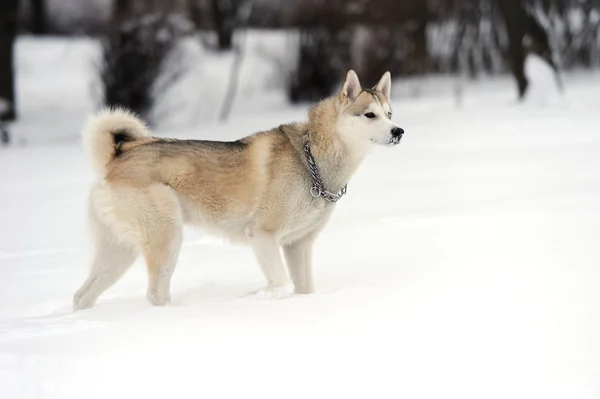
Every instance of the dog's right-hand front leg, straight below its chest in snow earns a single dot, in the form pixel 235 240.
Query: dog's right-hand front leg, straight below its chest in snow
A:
pixel 298 256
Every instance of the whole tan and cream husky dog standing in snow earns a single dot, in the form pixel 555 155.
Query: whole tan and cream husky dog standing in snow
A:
pixel 274 189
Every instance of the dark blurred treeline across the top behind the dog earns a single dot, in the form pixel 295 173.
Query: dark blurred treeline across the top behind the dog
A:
pixel 408 37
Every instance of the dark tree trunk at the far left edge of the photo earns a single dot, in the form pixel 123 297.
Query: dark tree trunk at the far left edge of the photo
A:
pixel 8 33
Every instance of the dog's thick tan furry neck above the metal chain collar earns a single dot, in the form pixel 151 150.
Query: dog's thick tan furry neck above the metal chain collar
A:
pixel 336 160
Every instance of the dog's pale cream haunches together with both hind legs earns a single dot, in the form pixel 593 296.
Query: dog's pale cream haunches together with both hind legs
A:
pixel 119 238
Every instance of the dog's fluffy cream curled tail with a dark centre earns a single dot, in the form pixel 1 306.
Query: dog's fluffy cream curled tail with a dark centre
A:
pixel 106 131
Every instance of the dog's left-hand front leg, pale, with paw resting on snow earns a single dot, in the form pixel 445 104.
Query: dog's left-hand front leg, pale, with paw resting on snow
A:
pixel 267 254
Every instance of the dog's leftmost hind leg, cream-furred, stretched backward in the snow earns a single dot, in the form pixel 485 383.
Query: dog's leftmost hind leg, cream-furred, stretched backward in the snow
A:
pixel 112 259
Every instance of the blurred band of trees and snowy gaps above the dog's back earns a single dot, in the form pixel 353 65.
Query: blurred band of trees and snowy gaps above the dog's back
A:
pixel 182 62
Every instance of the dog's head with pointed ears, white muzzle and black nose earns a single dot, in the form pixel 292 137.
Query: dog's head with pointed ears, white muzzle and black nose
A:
pixel 365 115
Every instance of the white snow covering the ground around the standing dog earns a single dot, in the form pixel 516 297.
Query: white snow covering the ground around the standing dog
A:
pixel 464 263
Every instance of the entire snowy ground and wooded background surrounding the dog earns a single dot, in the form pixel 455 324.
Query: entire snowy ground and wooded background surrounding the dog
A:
pixel 467 255
